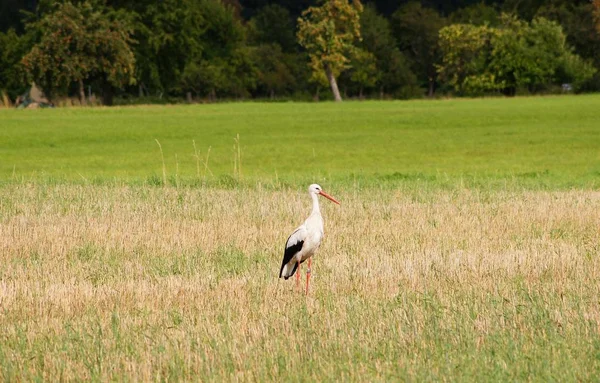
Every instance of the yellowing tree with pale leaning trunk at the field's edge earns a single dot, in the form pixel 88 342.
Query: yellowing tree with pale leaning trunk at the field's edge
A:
pixel 328 33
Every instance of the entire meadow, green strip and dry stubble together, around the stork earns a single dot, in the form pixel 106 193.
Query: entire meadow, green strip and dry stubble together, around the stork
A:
pixel 466 246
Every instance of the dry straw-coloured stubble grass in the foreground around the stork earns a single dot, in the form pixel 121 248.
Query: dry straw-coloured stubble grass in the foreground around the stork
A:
pixel 141 283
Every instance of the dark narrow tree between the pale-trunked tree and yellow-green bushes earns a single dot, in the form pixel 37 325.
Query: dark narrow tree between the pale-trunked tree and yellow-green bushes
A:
pixel 416 29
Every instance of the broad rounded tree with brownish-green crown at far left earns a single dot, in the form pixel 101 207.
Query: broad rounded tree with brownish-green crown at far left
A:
pixel 78 42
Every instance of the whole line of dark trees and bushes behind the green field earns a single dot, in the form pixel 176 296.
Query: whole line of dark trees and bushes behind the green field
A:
pixel 172 50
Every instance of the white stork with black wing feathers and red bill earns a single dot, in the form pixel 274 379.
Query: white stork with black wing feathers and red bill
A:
pixel 305 240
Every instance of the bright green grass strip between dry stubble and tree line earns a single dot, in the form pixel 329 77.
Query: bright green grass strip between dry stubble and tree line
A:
pixel 553 140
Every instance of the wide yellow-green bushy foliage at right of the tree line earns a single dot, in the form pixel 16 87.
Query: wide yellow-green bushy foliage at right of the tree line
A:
pixel 480 59
